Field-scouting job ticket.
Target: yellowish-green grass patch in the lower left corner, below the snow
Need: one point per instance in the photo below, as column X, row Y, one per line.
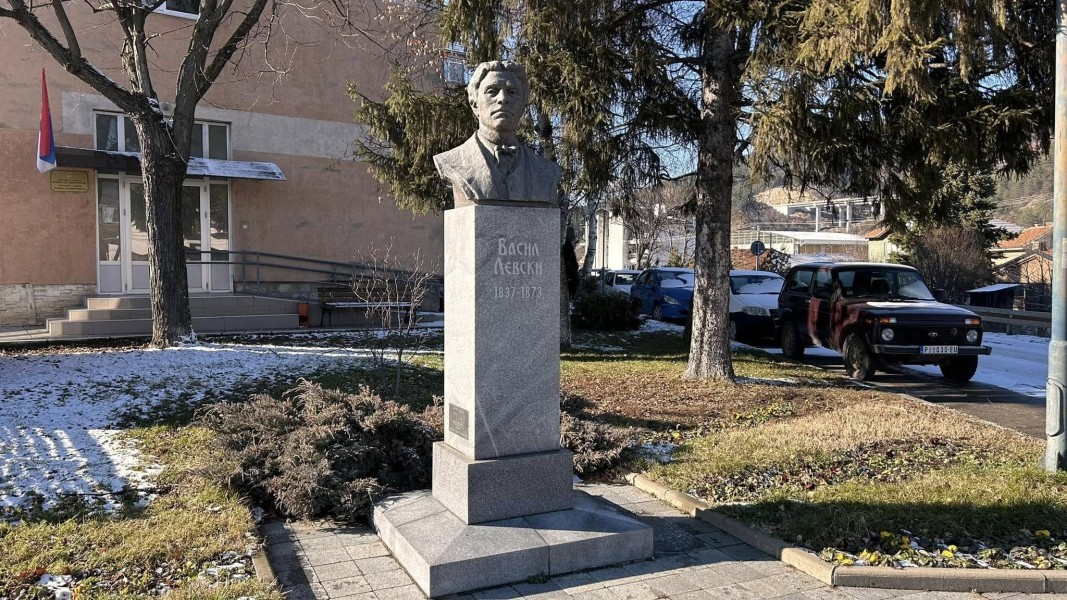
column 142, row 551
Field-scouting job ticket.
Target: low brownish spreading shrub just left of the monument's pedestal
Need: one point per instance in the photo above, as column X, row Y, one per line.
column 324, row 453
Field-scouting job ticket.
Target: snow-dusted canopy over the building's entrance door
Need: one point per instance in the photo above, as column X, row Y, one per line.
column 131, row 163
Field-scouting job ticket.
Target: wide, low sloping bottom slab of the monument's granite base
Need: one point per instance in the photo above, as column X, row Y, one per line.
column 445, row 556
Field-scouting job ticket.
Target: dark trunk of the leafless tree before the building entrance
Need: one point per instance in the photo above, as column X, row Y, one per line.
column 164, row 172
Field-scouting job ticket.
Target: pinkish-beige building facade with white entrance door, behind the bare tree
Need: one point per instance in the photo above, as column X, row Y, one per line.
column 275, row 177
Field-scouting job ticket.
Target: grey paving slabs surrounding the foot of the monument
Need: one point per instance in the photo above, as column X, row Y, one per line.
column 693, row 561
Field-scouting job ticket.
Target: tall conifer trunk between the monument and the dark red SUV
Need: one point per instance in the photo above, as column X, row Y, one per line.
column 710, row 349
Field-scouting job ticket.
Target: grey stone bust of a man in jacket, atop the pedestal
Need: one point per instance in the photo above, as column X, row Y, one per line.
column 493, row 165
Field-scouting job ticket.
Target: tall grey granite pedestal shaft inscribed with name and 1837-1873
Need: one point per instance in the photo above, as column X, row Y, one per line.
column 502, row 330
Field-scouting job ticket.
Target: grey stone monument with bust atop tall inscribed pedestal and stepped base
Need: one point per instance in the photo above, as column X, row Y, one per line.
column 503, row 508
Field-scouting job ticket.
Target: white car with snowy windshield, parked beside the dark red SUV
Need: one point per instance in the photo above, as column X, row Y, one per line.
column 754, row 304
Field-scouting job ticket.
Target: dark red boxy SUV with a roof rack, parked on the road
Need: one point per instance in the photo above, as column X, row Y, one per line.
column 877, row 314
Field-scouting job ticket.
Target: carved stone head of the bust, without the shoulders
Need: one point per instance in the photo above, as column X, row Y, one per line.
column 499, row 92
